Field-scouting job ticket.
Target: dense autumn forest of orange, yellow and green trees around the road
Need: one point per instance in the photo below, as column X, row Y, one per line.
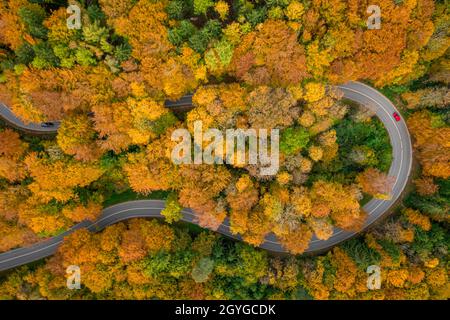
column 251, row 64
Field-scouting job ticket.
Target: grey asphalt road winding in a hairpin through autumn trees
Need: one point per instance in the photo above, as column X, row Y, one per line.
column 355, row 91
